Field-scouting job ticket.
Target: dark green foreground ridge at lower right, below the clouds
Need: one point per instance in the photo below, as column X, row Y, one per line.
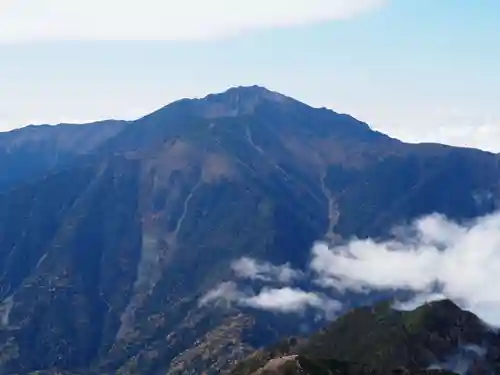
column 380, row 339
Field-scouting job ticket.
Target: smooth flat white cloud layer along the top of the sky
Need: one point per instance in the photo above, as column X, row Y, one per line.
column 28, row 20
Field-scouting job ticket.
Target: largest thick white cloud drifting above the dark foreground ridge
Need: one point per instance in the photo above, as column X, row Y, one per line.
column 461, row 262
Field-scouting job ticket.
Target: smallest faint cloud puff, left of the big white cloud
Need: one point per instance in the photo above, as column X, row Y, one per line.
column 247, row 268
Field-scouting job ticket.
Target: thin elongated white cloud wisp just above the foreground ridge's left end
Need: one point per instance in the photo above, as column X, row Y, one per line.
column 279, row 300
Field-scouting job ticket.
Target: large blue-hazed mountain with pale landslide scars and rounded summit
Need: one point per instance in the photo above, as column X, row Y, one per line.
column 105, row 257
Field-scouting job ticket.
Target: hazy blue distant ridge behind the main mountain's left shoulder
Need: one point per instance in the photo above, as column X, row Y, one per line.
column 29, row 153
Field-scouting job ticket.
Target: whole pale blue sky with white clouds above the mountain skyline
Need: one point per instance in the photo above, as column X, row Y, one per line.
column 421, row 70
